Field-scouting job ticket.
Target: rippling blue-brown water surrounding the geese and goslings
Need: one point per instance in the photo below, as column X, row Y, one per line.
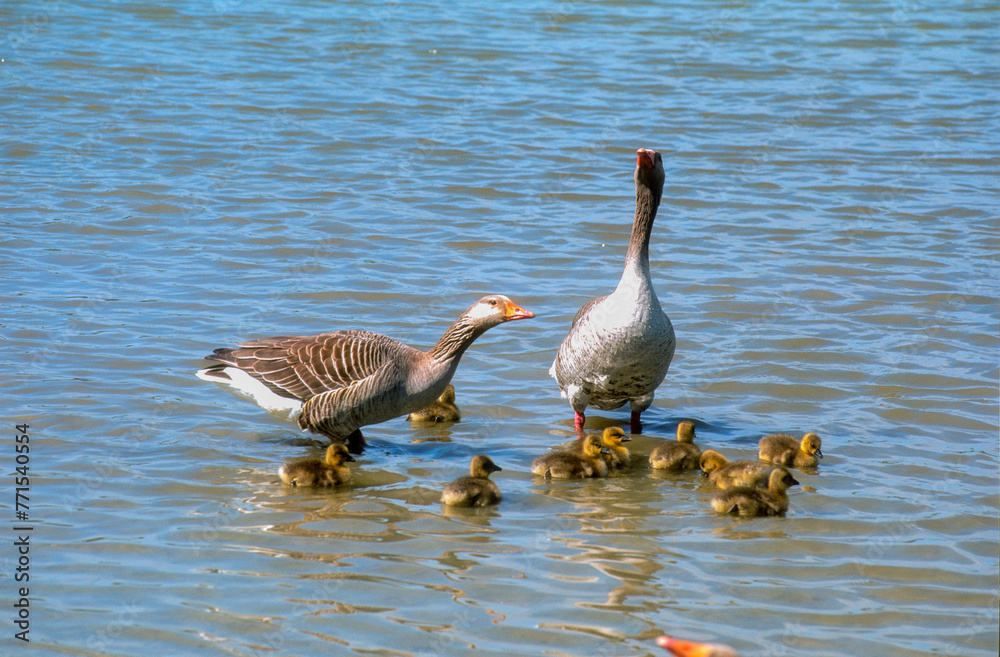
column 181, row 176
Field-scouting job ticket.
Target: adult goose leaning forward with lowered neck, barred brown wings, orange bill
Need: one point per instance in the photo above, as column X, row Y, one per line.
column 336, row 383
